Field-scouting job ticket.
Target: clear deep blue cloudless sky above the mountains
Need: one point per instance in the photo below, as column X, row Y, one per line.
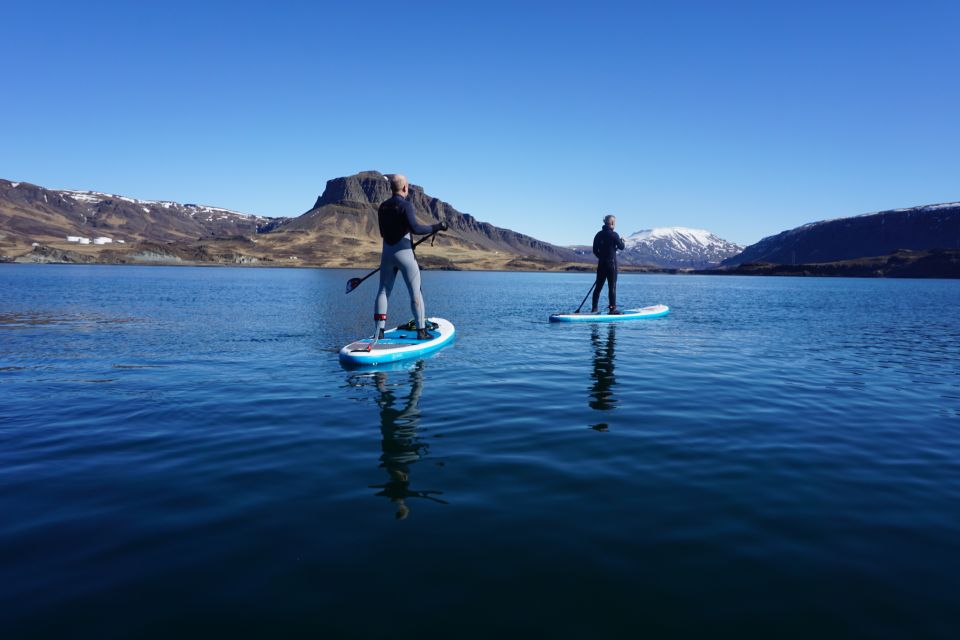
column 744, row 118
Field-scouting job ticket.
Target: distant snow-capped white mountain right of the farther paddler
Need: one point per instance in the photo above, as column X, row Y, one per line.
column 677, row 247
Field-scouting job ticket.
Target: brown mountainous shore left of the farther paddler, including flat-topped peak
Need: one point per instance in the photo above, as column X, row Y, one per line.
column 339, row 230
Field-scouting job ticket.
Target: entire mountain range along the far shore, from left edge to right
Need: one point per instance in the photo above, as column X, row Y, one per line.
column 340, row 230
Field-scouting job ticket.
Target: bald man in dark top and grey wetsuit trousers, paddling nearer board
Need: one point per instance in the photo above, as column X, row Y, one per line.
column 397, row 221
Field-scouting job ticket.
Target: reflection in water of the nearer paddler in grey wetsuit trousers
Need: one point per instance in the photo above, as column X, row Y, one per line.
column 401, row 443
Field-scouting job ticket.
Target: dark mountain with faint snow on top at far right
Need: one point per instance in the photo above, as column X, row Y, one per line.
column 921, row 228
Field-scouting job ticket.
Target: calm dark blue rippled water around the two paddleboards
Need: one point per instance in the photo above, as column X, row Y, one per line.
column 181, row 454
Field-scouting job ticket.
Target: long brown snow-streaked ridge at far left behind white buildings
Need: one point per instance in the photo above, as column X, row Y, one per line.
column 29, row 213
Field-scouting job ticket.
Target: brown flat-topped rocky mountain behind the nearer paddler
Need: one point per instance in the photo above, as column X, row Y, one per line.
column 341, row 230
